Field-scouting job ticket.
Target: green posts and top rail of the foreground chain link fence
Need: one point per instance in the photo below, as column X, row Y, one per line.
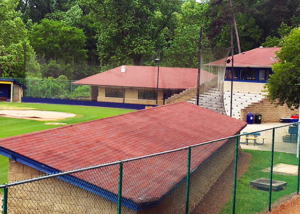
column 189, row 148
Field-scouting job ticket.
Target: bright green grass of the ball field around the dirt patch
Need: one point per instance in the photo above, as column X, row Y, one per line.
column 11, row 126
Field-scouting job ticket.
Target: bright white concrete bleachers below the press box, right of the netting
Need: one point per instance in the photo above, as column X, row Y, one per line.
column 240, row 101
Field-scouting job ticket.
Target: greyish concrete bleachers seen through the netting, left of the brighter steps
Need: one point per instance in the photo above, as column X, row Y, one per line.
column 211, row 99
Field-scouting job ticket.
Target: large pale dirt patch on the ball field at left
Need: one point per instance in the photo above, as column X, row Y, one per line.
column 36, row 114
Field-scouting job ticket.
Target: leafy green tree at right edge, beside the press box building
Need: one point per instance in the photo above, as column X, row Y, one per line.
column 284, row 84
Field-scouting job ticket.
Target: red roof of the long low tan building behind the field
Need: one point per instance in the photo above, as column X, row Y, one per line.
column 146, row 77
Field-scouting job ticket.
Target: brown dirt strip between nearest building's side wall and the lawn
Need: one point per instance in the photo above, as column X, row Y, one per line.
column 221, row 191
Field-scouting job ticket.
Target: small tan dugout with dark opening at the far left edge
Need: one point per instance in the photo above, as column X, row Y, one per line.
column 11, row 90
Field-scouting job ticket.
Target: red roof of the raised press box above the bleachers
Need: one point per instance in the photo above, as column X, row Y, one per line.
column 256, row 58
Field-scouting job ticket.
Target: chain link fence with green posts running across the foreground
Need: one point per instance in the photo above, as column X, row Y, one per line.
column 230, row 175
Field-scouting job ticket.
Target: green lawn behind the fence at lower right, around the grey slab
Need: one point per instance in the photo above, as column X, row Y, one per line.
column 251, row 200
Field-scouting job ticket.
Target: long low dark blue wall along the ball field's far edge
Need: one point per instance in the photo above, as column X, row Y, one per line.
column 84, row 103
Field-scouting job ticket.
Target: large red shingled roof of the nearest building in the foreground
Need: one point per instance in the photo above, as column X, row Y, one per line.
column 127, row 136
